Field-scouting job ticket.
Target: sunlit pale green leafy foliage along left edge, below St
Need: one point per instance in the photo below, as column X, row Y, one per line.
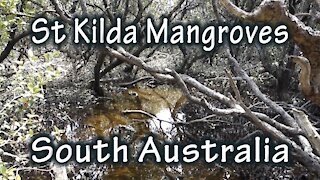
column 24, row 92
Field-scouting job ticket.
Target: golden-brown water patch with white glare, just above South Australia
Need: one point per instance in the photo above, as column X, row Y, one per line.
column 156, row 107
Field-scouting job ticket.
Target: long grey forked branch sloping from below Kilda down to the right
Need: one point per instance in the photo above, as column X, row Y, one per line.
column 181, row 80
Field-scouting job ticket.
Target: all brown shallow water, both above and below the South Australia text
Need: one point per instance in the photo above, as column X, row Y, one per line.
column 134, row 114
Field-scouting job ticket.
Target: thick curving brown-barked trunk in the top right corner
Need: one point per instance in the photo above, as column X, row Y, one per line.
column 306, row 38
